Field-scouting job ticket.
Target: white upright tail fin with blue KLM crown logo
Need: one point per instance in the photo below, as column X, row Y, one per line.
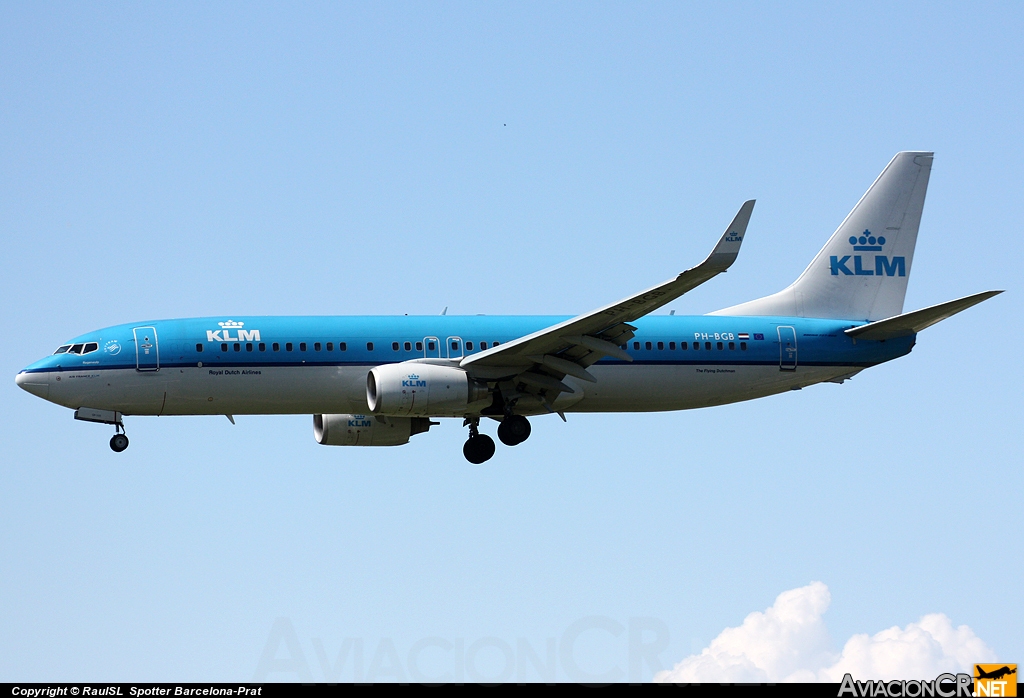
column 862, row 273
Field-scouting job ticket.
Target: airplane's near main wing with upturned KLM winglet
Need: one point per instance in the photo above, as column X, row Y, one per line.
column 538, row 363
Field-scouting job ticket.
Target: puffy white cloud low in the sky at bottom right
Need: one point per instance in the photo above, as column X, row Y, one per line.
column 790, row 642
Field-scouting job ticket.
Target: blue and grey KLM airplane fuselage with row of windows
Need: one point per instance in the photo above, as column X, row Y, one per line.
column 278, row 366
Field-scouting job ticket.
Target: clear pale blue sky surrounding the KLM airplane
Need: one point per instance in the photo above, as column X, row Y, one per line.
column 358, row 159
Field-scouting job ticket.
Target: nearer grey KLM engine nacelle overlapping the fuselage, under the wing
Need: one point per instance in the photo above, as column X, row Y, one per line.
column 425, row 389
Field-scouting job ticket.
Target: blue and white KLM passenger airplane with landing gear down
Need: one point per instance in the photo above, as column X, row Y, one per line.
column 378, row 381
